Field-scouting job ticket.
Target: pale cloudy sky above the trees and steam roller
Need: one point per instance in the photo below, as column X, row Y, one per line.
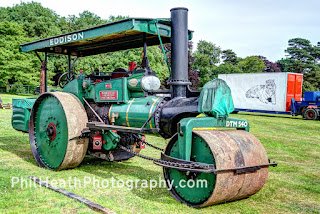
column 248, row 27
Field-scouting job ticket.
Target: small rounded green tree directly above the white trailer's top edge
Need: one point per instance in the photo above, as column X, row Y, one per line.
column 252, row 64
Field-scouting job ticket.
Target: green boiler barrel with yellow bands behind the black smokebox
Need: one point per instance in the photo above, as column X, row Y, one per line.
column 136, row 112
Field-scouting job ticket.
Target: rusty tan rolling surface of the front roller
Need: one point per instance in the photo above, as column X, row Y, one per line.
column 231, row 149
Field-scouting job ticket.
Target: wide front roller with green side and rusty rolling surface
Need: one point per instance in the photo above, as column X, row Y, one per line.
column 224, row 149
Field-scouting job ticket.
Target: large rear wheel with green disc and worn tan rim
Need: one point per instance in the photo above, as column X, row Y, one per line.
column 56, row 118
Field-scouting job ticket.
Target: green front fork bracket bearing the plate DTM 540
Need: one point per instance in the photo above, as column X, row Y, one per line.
column 186, row 125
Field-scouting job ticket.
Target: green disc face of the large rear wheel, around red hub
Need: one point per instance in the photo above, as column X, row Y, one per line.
column 52, row 152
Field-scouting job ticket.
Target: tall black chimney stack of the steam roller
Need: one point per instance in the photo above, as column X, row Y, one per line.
column 179, row 51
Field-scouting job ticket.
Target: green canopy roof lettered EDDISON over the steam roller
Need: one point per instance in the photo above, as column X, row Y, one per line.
column 115, row 36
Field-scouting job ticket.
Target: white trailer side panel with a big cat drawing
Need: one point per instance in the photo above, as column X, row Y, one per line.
column 258, row 91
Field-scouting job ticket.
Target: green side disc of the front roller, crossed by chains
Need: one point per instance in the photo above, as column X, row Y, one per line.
column 200, row 152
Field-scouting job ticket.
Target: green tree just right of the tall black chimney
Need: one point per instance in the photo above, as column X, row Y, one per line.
column 205, row 58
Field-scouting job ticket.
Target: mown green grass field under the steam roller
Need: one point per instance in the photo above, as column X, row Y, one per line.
column 292, row 187
